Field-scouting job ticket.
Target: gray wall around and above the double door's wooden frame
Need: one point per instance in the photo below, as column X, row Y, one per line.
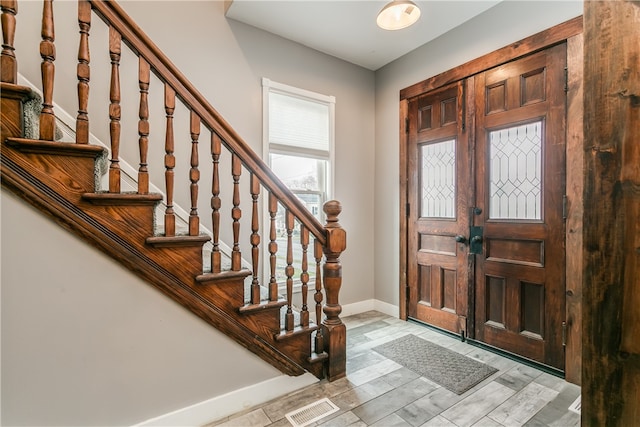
column 501, row 25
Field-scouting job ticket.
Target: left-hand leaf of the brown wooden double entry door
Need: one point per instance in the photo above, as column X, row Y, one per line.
column 437, row 209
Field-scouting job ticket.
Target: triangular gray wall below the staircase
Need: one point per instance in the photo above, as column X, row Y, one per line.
column 85, row 342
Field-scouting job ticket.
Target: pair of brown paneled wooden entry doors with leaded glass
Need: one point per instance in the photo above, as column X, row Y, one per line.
column 485, row 229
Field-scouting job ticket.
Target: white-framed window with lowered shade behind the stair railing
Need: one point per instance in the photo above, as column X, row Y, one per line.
column 298, row 132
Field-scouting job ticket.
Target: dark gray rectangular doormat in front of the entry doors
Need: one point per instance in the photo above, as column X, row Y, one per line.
column 451, row 370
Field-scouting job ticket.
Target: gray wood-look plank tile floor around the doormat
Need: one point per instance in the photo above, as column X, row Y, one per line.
column 380, row 392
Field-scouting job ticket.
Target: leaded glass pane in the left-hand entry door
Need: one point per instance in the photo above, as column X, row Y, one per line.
column 438, row 173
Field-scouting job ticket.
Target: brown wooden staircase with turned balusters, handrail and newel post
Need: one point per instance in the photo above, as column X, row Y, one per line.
column 63, row 180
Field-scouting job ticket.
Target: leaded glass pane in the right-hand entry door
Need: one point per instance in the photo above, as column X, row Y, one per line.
column 516, row 172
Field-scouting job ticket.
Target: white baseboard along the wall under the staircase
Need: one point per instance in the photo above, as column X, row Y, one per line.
column 233, row 402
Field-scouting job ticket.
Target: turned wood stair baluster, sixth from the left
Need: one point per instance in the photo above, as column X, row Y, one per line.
column 169, row 161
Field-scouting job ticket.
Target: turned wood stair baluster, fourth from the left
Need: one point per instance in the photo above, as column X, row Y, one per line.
column 114, row 109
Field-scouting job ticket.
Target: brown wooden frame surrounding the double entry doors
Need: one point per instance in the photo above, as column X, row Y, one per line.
column 571, row 33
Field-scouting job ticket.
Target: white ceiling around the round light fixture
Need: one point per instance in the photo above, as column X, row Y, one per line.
column 347, row 29
